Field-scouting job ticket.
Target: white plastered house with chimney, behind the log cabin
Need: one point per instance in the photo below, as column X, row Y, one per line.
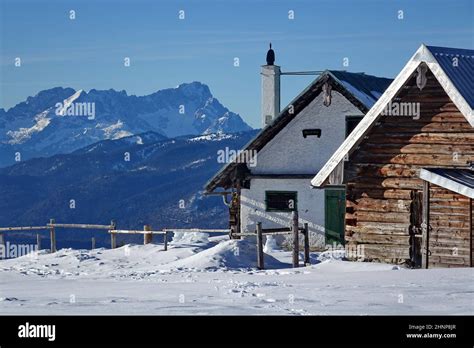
column 291, row 147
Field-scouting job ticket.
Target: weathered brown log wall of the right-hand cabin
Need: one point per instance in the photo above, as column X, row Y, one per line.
column 382, row 180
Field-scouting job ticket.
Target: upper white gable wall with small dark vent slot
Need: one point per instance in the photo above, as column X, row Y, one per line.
column 289, row 153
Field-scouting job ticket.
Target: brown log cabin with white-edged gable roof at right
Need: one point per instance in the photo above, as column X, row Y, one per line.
column 392, row 212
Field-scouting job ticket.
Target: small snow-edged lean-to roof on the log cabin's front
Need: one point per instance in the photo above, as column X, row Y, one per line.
column 460, row 180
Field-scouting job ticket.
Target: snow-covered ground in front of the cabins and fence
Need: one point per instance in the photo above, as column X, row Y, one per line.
column 214, row 276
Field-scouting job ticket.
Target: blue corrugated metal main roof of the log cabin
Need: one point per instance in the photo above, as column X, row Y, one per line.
column 462, row 73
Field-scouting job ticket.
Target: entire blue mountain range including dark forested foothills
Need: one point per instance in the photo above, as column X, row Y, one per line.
column 138, row 160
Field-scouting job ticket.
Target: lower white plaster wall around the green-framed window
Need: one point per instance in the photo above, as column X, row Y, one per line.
column 310, row 205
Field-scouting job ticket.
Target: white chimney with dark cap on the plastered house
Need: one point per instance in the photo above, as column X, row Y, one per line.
column 270, row 89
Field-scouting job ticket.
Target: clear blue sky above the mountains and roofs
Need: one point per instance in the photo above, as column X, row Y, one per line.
column 89, row 52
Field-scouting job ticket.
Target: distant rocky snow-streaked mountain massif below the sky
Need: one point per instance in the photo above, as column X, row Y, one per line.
column 61, row 120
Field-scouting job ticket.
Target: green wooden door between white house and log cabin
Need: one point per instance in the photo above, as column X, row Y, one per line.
column 335, row 209
